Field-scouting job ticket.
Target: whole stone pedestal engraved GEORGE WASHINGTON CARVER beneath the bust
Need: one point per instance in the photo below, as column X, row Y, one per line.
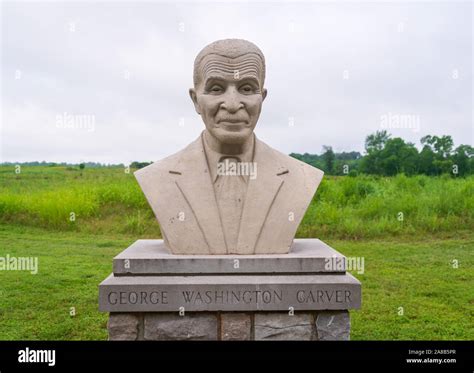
column 302, row 295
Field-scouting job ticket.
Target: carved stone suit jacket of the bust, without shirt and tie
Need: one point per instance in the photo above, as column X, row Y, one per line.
column 181, row 194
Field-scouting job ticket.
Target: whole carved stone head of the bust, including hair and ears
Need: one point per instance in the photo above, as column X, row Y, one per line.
column 229, row 89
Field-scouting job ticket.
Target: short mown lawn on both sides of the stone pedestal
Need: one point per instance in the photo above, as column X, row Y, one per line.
column 416, row 274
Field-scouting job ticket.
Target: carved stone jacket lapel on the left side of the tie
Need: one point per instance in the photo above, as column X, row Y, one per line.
column 195, row 184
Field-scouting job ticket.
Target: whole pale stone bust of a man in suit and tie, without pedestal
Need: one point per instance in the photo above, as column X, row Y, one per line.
column 228, row 192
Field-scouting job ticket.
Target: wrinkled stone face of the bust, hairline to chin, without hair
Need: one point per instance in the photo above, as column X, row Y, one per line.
column 229, row 96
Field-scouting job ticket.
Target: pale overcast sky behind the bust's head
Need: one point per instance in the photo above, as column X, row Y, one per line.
column 108, row 82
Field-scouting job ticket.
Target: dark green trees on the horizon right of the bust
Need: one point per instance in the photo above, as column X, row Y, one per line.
column 389, row 156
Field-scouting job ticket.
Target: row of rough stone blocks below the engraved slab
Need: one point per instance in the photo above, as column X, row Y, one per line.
column 230, row 326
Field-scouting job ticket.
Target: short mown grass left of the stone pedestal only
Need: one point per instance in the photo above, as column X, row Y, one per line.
column 70, row 267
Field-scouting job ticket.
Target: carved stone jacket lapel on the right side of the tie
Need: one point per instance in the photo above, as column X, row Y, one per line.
column 261, row 193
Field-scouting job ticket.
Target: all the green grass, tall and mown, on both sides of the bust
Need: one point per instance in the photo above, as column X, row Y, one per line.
column 410, row 231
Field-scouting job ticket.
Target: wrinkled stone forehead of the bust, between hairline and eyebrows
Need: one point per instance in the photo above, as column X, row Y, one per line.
column 245, row 65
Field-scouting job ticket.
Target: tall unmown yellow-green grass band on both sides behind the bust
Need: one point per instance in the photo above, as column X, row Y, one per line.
column 108, row 200
